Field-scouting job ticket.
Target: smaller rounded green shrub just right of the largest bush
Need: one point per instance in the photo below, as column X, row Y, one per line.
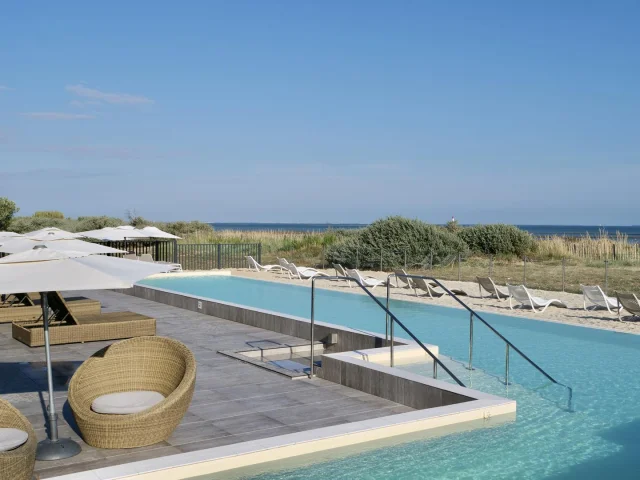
column 497, row 239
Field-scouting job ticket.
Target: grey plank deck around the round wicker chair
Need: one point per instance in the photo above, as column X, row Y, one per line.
column 233, row 402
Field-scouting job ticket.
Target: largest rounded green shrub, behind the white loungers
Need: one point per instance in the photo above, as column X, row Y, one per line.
column 389, row 240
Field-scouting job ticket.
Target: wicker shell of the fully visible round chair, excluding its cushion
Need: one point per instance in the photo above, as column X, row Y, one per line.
column 144, row 363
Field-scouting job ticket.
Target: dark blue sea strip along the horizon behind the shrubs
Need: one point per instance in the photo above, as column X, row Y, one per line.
column 538, row 230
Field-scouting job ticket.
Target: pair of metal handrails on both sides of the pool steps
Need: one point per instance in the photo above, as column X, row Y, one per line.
column 391, row 320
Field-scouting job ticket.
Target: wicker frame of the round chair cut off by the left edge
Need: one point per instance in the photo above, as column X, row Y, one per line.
column 17, row 464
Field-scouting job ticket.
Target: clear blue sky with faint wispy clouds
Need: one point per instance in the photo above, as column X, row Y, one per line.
column 299, row 111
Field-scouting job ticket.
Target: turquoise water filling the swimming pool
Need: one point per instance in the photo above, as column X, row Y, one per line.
column 601, row 437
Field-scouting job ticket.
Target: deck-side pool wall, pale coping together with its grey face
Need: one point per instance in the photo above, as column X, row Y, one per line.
column 358, row 360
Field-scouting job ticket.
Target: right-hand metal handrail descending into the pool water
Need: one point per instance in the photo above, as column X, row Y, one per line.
column 472, row 314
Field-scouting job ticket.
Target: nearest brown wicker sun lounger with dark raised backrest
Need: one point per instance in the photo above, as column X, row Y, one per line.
column 68, row 327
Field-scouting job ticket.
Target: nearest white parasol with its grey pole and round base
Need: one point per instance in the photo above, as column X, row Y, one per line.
column 45, row 270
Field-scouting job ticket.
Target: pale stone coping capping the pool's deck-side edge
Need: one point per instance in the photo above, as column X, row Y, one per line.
column 481, row 407
